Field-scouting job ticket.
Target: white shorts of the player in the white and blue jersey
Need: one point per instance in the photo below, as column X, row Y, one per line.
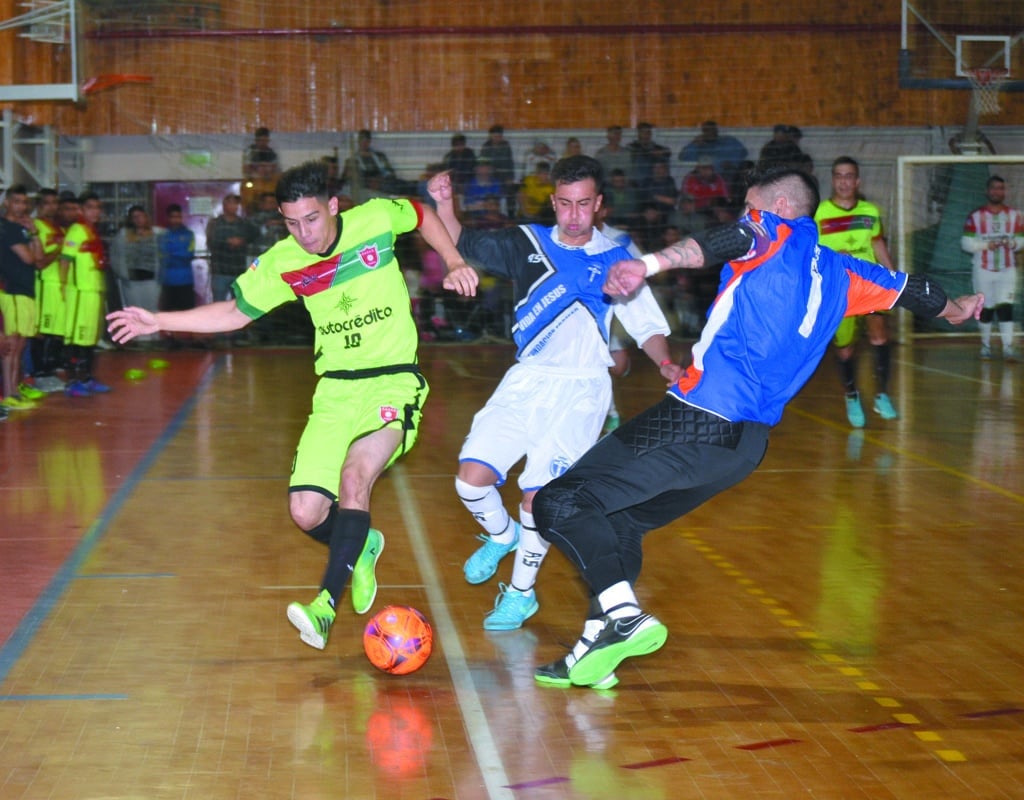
column 551, row 417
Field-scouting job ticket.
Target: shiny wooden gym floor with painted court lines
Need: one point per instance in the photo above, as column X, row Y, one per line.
column 847, row 623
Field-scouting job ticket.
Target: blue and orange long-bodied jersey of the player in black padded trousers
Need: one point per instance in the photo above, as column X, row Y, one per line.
column 777, row 311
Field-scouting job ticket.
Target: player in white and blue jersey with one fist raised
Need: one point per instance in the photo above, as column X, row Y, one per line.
column 551, row 405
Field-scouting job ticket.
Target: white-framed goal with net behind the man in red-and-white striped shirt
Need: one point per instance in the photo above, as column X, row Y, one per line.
column 934, row 197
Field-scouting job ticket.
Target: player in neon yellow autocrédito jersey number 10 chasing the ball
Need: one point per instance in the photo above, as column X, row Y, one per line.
column 366, row 409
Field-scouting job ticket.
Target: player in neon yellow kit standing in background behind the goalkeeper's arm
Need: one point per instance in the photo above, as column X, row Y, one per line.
column 848, row 224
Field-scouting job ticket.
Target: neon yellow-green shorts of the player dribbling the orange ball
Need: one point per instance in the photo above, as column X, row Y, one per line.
column 346, row 410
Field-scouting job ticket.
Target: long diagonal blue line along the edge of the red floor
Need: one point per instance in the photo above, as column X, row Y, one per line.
column 40, row 610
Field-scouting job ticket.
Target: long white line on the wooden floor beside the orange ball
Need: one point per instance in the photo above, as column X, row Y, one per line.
column 478, row 730
